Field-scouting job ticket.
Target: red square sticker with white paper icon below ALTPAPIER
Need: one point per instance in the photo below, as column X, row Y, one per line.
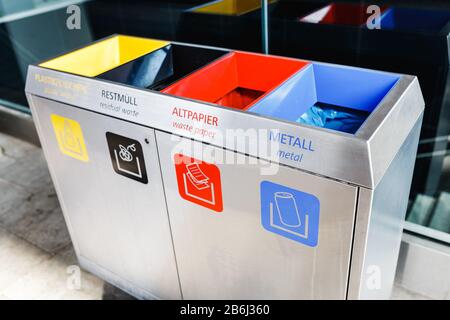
column 199, row 182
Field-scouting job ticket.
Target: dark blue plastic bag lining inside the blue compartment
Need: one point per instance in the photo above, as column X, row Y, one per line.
column 333, row 117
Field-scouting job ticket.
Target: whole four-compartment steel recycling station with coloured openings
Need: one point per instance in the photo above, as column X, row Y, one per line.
column 136, row 135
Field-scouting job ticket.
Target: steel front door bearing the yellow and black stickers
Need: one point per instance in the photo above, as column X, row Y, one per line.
column 111, row 193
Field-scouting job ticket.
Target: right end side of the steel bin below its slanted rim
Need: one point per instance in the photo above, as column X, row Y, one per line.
column 379, row 225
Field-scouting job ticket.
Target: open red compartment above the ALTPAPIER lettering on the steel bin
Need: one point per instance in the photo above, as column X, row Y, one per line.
column 237, row 80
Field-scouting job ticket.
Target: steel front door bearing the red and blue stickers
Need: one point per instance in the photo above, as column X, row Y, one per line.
column 242, row 235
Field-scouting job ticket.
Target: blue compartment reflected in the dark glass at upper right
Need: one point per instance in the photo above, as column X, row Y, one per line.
column 410, row 19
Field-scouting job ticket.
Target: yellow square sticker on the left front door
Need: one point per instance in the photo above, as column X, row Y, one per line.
column 70, row 137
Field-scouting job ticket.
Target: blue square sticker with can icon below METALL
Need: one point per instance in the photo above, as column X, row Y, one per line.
column 290, row 213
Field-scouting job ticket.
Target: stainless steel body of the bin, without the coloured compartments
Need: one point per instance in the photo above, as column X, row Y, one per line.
column 156, row 240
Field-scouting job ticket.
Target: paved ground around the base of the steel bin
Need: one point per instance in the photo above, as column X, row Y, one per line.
column 36, row 255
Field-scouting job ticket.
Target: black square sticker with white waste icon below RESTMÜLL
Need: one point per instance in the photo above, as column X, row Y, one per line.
column 127, row 157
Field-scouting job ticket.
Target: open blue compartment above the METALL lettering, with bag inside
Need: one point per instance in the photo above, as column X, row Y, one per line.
column 352, row 92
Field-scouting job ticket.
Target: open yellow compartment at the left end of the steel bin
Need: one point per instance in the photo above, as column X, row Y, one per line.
column 104, row 55
